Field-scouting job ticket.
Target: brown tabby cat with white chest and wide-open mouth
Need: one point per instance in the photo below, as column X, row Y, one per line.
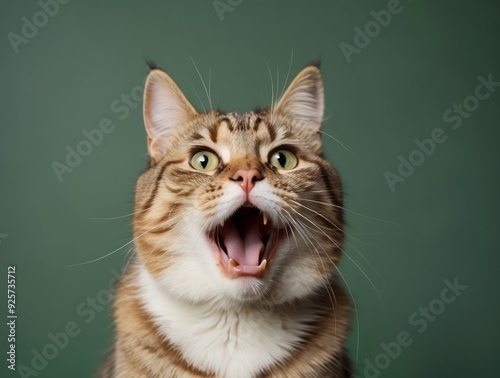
column 238, row 229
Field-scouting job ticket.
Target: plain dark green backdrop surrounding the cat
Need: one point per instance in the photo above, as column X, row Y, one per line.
column 440, row 223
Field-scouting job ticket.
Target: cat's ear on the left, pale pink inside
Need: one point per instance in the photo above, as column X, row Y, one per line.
column 165, row 108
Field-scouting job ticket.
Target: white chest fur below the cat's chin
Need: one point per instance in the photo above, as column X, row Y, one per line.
column 232, row 341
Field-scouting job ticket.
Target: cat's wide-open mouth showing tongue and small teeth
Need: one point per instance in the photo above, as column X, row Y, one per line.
column 244, row 243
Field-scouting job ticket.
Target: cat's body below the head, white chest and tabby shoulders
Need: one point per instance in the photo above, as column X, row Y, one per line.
column 159, row 333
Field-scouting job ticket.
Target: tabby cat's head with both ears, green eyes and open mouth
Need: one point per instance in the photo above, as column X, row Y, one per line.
column 238, row 206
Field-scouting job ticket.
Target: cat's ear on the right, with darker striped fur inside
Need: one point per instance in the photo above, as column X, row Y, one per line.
column 304, row 98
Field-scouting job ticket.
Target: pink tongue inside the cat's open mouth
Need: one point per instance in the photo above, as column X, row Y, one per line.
column 246, row 250
